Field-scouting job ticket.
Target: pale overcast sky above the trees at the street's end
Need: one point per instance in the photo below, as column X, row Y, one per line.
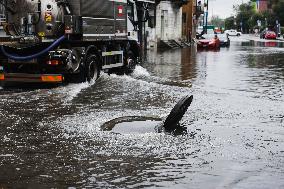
column 223, row 8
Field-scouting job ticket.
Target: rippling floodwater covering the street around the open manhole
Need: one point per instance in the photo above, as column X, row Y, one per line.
column 52, row 138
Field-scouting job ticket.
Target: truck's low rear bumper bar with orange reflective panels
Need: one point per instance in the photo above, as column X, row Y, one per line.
column 31, row 78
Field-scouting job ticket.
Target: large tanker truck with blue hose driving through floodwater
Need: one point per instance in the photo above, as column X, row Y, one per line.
column 56, row 41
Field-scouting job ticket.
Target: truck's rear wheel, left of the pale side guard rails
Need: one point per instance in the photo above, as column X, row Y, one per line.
column 92, row 68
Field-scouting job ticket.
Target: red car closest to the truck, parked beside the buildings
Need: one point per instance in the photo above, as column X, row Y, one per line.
column 208, row 41
